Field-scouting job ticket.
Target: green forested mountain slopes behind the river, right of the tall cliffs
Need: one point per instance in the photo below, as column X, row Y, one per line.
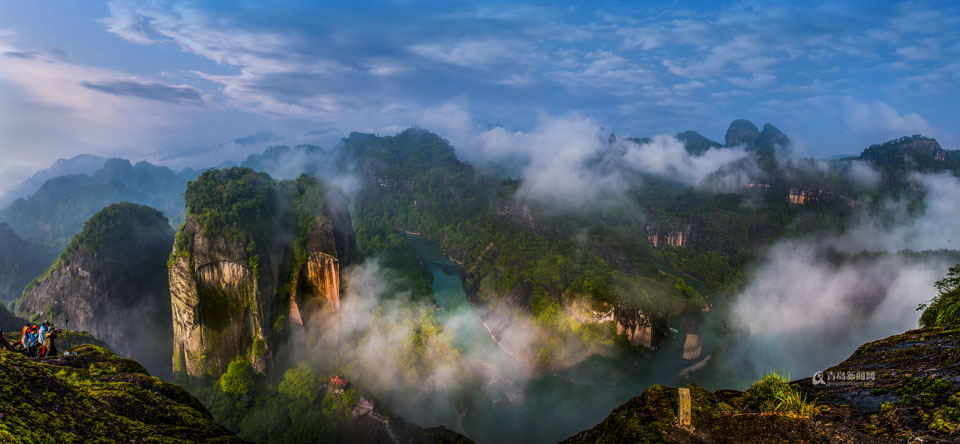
column 640, row 262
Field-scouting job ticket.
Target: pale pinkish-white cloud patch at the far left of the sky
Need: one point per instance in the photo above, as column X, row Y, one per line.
column 50, row 111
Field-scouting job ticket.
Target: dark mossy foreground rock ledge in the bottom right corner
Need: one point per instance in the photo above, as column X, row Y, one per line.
column 900, row 389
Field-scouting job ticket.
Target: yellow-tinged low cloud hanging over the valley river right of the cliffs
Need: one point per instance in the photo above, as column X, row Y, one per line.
column 432, row 366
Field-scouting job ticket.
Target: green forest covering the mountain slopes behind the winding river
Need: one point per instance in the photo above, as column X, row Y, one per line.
column 517, row 250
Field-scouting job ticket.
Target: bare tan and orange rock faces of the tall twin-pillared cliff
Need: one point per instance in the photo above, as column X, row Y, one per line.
column 224, row 306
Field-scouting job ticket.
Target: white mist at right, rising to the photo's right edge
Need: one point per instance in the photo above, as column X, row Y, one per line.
column 810, row 302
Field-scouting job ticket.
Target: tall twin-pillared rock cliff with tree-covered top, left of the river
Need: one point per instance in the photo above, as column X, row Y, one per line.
column 255, row 262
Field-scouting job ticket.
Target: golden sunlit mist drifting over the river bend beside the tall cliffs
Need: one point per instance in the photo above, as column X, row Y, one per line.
column 403, row 351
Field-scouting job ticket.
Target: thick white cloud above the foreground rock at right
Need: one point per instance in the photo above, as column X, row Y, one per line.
column 803, row 313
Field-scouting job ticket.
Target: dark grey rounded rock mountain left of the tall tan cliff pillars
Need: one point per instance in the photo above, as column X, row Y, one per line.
column 111, row 281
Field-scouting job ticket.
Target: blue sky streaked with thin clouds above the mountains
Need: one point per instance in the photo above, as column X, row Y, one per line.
column 196, row 83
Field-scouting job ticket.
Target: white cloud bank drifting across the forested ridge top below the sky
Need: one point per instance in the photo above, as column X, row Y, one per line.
column 571, row 161
